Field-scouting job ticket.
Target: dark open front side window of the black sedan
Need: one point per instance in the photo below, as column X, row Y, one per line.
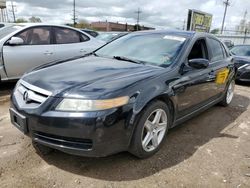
column 199, row 50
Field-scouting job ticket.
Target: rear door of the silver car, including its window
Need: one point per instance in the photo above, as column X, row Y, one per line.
column 70, row 43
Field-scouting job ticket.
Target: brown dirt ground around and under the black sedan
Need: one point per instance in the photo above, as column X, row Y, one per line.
column 210, row 150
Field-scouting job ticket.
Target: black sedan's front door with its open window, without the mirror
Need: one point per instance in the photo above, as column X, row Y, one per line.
column 197, row 85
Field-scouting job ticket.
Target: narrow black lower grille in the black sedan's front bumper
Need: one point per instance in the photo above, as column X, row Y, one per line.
column 63, row 142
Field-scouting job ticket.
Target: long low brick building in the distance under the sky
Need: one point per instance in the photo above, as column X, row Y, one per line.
column 112, row 26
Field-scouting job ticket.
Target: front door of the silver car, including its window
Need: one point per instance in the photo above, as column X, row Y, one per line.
column 36, row 50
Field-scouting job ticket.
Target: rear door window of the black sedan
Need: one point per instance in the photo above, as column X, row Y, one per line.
column 217, row 51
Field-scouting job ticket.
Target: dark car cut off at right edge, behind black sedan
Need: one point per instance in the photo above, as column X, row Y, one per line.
column 241, row 55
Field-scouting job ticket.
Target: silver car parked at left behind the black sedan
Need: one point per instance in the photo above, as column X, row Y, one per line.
column 25, row 46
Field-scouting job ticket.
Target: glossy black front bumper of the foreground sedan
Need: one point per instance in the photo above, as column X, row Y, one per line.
column 92, row 134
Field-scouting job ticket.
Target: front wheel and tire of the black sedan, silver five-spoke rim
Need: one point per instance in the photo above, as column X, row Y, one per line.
column 141, row 145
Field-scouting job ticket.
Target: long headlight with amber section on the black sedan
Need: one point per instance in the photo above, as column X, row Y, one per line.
column 82, row 105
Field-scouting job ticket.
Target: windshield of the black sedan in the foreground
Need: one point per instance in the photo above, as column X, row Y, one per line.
column 157, row 49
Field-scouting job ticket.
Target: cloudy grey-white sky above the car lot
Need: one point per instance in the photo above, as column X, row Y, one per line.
column 156, row 13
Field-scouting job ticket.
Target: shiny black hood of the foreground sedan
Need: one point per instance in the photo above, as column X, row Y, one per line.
column 90, row 76
